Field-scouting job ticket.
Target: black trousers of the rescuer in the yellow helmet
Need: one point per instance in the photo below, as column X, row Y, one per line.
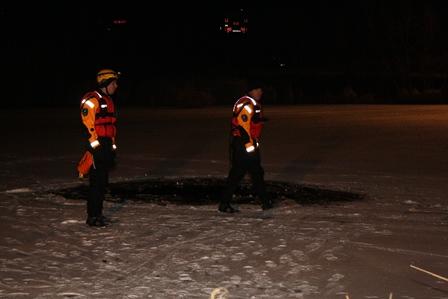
column 99, row 177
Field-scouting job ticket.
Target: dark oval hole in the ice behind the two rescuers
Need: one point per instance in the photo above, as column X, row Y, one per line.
column 197, row 191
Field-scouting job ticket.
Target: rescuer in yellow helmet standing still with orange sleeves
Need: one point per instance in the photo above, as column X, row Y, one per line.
column 99, row 117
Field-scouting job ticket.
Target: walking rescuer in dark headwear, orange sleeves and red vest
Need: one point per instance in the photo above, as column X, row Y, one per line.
column 246, row 126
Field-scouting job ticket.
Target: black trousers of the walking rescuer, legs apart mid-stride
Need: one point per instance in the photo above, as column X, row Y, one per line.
column 241, row 165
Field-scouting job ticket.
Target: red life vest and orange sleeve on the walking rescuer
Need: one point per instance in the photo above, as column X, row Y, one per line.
column 246, row 122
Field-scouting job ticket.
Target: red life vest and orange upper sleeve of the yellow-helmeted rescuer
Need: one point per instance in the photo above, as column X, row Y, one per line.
column 104, row 111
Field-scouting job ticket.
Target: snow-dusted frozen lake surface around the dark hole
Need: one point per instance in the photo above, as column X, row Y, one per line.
column 394, row 157
